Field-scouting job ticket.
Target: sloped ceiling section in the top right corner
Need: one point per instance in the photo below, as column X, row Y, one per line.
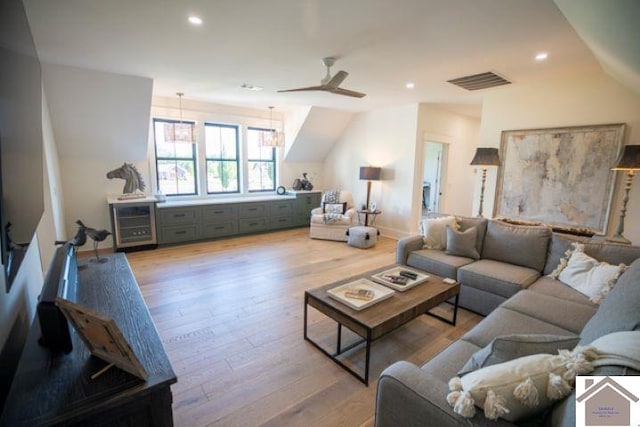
column 612, row 31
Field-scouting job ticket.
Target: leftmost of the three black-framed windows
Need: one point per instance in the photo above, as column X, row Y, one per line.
column 175, row 163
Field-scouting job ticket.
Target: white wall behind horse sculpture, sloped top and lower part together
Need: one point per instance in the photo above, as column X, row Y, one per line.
column 99, row 120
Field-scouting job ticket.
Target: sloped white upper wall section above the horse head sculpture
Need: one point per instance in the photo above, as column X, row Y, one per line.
column 98, row 115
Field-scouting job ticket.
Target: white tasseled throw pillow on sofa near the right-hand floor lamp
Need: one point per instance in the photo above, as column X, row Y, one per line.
column 589, row 276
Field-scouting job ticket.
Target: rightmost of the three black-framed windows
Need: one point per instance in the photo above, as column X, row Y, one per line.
column 261, row 162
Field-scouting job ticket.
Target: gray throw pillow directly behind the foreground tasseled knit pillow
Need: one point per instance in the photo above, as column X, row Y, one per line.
column 509, row 347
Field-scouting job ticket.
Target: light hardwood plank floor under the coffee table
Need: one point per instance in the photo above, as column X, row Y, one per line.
column 230, row 313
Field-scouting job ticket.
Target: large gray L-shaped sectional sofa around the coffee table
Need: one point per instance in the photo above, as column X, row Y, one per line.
column 518, row 298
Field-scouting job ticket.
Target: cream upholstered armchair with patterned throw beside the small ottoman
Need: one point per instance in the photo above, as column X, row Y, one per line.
column 332, row 220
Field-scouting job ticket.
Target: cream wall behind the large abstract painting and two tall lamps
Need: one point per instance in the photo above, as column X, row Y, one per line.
column 596, row 99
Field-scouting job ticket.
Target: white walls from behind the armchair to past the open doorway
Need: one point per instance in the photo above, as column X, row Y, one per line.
column 393, row 139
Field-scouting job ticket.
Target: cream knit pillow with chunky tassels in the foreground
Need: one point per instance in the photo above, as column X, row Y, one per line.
column 521, row 387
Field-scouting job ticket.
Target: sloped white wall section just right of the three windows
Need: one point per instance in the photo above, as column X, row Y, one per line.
column 318, row 131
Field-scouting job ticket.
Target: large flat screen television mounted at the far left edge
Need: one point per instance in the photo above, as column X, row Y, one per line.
column 21, row 144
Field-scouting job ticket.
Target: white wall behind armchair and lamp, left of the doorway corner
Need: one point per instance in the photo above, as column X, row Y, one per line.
column 384, row 138
